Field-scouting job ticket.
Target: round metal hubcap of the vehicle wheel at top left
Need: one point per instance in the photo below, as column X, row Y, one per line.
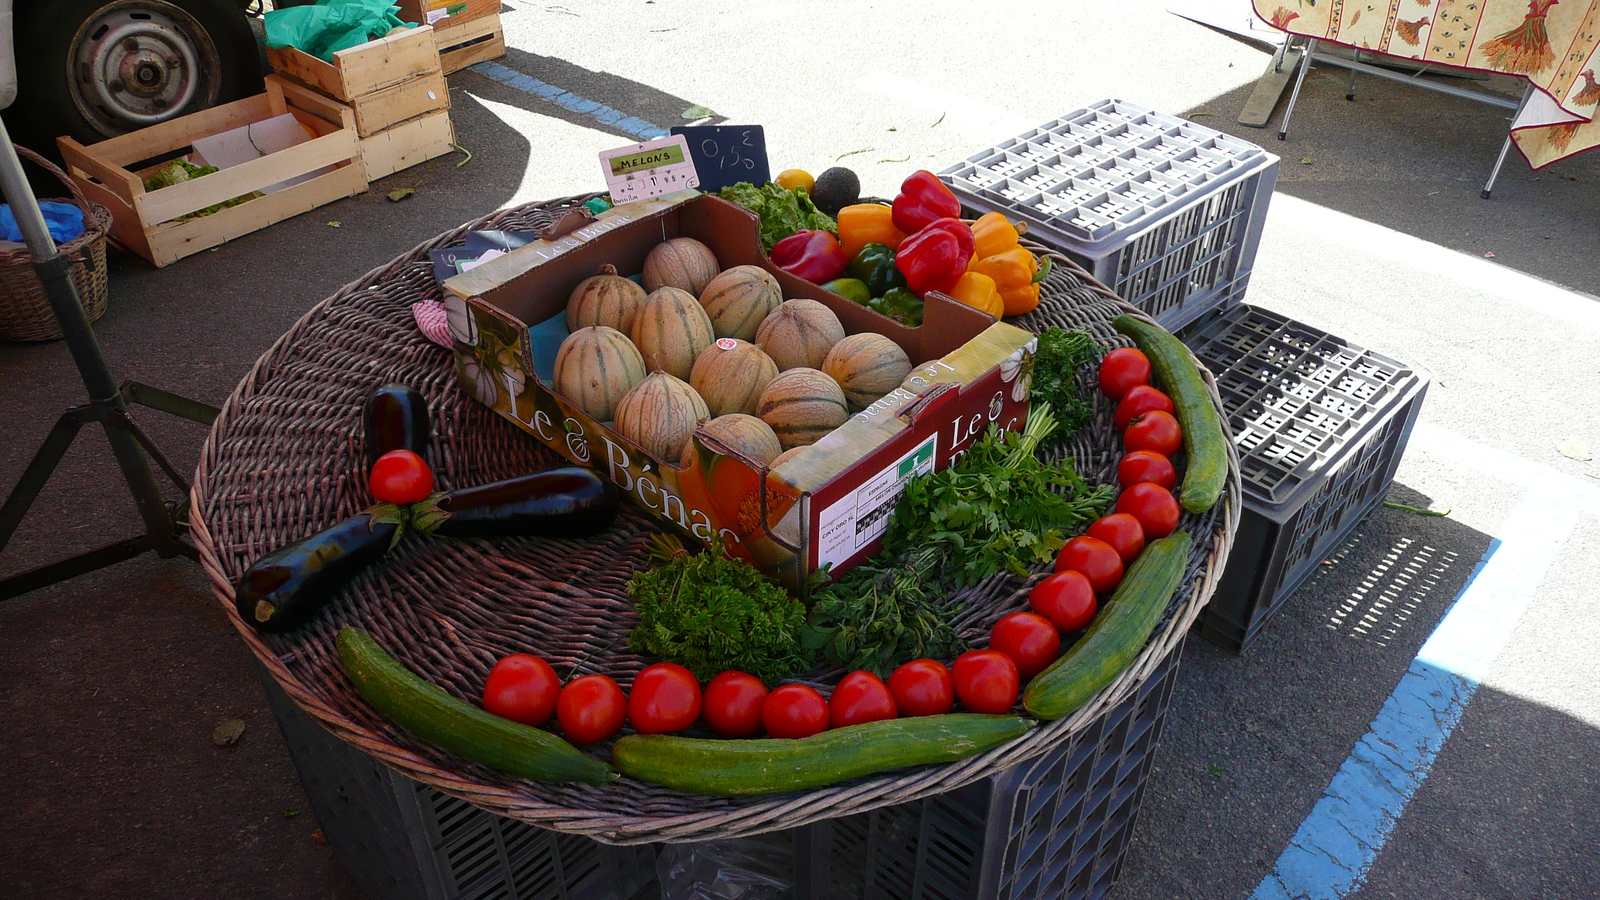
column 140, row 63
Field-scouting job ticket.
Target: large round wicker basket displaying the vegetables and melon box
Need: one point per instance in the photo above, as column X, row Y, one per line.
column 284, row 462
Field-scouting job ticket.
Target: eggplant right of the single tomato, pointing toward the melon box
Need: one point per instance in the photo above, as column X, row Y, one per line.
column 559, row 504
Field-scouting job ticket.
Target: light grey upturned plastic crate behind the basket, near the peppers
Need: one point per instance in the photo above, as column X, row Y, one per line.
column 1164, row 212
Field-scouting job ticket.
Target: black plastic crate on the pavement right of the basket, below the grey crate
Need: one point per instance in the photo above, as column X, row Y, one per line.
column 1321, row 427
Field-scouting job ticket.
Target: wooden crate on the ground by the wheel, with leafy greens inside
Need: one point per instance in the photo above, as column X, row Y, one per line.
column 151, row 222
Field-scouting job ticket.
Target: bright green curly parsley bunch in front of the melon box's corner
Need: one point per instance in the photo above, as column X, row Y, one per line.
column 713, row 614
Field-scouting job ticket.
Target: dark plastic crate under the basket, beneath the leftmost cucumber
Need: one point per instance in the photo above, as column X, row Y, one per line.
column 406, row 842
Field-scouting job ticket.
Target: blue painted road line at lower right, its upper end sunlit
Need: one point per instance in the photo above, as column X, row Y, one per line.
column 1334, row 851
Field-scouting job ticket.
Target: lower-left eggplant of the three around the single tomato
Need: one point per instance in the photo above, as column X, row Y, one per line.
column 284, row 590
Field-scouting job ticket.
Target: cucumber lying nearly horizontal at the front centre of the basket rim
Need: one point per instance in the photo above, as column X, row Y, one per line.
column 769, row 766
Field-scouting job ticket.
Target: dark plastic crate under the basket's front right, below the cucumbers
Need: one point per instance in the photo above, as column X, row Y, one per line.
column 1055, row 827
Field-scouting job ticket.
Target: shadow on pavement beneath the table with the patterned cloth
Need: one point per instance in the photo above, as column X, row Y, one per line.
column 1415, row 161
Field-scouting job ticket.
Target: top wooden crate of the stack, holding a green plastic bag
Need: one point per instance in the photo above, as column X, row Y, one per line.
column 366, row 68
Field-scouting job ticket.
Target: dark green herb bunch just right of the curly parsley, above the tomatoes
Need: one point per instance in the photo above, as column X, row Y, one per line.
column 882, row 614
